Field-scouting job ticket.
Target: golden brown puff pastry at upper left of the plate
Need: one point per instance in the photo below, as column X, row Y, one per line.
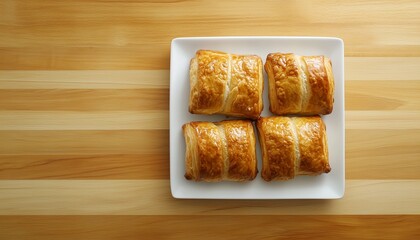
column 229, row 84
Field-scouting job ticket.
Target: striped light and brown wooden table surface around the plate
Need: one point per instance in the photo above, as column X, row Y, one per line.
column 84, row 105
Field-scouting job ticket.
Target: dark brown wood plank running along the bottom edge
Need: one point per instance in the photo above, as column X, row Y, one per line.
column 210, row 227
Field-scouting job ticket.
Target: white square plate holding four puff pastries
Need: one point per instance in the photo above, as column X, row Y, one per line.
column 325, row 186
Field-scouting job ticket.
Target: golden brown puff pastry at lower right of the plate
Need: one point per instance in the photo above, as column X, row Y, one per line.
column 292, row 146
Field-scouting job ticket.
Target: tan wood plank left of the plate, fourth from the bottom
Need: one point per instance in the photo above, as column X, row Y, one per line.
column 84, row 142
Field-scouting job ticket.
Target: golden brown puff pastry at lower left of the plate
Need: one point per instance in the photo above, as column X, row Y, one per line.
column 220, row 151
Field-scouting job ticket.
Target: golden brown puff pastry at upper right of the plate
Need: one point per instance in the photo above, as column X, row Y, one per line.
column 299, row 84
